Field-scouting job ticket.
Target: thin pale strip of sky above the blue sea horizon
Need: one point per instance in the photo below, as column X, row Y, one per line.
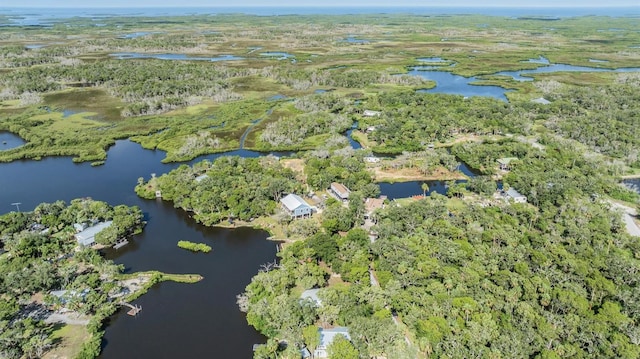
column 316, row 3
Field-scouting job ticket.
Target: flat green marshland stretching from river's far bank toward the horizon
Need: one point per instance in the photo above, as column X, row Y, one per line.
column 71, row 98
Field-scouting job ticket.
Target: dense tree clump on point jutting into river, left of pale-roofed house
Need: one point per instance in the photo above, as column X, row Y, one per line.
column 228, row 188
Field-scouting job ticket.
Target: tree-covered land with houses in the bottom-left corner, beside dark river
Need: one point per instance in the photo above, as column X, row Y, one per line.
column 39, row 255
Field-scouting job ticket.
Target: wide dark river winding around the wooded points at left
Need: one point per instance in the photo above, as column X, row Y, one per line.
column 177, row 320
